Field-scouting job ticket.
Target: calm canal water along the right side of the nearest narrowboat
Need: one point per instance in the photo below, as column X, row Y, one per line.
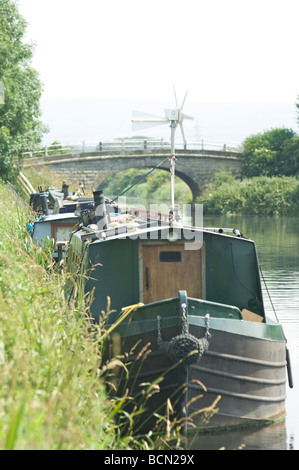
column 277, row 242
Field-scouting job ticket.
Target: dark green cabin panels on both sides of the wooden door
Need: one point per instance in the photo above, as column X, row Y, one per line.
column 231, row 267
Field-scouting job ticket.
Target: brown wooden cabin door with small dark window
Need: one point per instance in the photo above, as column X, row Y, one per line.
column 167, row 268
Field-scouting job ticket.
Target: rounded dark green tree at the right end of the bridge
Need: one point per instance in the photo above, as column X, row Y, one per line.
column 265, row 154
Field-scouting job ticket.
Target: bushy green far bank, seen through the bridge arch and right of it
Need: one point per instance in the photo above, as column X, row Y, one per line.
column 277, row 195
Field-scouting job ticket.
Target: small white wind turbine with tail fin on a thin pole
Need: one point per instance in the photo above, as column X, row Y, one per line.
column 175, row 117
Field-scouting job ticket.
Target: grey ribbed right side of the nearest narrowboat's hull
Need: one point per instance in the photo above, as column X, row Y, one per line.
column 247, row 373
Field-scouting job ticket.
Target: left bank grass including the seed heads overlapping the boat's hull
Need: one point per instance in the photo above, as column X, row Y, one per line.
column 53, row 381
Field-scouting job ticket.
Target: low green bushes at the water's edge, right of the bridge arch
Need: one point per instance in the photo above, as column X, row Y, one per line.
column 257, row 195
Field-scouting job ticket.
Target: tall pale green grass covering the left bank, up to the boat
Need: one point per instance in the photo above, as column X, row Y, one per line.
column 50, row 393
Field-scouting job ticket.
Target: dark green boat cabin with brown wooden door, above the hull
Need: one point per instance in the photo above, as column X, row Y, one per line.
column 154, row 263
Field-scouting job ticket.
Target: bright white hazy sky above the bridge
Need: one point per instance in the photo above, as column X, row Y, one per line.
column 232, row 51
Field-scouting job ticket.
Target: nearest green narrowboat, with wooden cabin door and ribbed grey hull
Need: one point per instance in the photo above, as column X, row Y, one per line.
column 193, row 297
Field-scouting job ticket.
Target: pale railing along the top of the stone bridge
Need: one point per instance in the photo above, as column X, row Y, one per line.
column 130, row 145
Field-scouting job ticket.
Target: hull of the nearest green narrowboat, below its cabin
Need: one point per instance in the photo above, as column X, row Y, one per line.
column 243, row 371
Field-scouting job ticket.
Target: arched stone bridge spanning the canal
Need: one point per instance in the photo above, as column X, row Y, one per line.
column 195, row 167
